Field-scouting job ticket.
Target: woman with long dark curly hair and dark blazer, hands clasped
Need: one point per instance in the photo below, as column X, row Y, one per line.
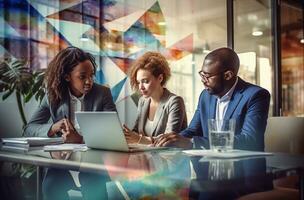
column 69, row 80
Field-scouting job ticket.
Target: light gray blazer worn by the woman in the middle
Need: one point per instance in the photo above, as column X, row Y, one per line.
column 170, row 115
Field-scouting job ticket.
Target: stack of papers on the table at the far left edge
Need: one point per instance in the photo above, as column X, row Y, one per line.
column 25, row 144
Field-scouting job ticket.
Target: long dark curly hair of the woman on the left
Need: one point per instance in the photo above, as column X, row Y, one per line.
column 61, row 65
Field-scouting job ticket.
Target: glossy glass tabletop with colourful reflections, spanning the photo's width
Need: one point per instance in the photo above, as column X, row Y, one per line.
column 170, row 173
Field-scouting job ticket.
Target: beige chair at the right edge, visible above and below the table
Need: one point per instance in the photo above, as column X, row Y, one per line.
column 285, row 135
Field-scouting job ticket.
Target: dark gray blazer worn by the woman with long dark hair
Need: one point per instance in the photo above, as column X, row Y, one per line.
column 98, row 99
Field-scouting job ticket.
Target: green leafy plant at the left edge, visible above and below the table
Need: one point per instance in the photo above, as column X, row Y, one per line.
column 17, row 78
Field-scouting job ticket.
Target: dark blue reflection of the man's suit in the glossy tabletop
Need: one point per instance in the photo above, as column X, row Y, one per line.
column 228, row 178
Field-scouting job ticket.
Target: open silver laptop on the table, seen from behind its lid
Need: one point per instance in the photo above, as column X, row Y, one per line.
column 103, row 130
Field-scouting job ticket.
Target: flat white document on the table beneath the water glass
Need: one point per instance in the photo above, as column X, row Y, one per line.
column 229, row 154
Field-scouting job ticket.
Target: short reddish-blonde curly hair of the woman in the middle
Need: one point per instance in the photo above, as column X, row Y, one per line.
column 153, row 62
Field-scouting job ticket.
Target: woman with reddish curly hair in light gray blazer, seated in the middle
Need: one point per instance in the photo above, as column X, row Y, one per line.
column 159, row 110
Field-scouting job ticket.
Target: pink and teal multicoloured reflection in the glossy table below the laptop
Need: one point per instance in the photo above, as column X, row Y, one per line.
column 163, row 175
